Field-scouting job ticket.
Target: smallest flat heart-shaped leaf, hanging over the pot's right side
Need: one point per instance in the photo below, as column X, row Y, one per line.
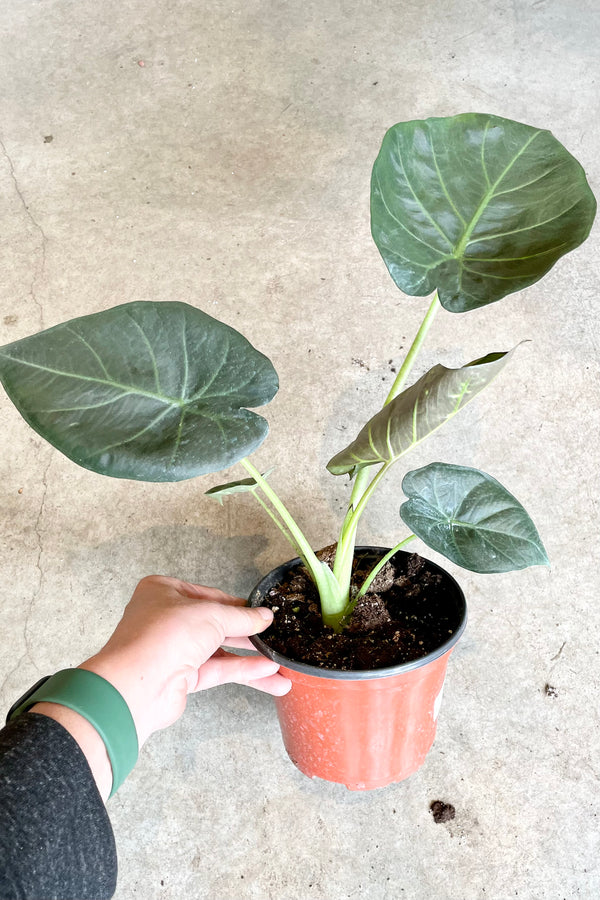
column 471, row 519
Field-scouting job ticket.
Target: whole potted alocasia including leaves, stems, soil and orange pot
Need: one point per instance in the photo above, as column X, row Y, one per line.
column 468, row 208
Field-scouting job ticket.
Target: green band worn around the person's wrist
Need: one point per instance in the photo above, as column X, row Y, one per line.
column 102, row 705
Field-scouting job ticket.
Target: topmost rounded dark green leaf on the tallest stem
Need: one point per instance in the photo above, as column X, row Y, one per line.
column 475, row 206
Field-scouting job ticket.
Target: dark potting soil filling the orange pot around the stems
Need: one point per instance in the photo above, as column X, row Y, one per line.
column 408, row 617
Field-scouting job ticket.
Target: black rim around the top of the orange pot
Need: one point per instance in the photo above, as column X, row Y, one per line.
column 357, row 674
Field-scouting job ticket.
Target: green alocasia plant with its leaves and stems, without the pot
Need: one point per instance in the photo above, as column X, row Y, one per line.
column 469, row 208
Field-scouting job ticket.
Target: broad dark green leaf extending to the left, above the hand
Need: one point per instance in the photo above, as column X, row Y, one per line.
column 148, row 391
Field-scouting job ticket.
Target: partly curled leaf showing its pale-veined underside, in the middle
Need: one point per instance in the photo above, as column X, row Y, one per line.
column 422, row 408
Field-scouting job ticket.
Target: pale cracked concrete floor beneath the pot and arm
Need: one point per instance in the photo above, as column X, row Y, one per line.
column 220, row 153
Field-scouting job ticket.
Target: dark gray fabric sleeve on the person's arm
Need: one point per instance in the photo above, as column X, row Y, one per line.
column 56, row 840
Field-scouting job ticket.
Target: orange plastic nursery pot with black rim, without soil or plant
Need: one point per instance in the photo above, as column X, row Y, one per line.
column 364, row 729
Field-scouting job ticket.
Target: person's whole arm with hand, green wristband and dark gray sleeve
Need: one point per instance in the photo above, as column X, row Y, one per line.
column 56, row 767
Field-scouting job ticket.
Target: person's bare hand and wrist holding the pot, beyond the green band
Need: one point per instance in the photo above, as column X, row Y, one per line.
column 167, row 645
